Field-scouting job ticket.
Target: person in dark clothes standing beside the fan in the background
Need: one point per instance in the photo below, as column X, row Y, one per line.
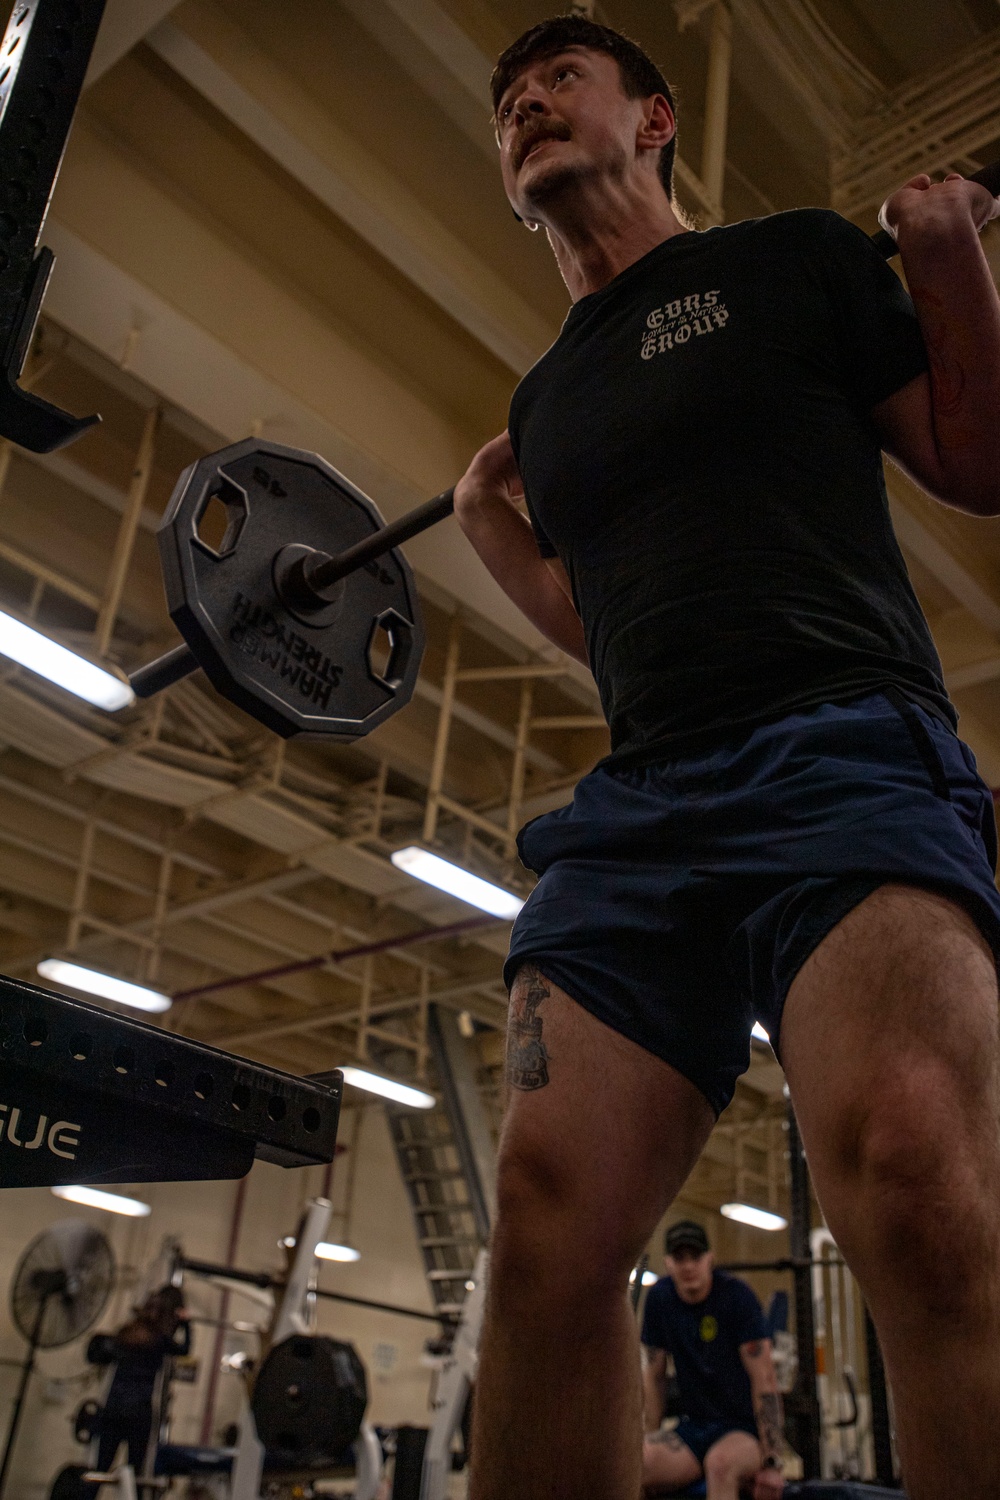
column 158, row 1331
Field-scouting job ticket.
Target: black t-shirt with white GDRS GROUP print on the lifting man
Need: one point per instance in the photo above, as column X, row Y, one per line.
column 698, row 449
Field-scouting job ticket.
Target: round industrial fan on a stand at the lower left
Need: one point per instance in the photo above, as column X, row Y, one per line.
column 59, row 1289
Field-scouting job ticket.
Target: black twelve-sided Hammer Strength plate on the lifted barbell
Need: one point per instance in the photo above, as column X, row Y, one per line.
column 299, row 679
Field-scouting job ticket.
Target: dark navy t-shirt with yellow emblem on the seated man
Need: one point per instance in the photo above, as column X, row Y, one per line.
column 705, row 1340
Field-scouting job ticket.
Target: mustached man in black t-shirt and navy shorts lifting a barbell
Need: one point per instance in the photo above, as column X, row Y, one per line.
column 876, row 959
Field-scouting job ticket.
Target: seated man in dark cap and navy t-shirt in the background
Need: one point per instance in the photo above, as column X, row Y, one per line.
column 711, row 1325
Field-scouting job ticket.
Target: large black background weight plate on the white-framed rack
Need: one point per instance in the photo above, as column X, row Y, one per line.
column 310, row 1399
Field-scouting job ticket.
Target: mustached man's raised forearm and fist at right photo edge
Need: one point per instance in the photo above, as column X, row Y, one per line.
column 959, row 311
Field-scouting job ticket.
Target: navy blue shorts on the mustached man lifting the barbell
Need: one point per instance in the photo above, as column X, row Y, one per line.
column 678, row 901
